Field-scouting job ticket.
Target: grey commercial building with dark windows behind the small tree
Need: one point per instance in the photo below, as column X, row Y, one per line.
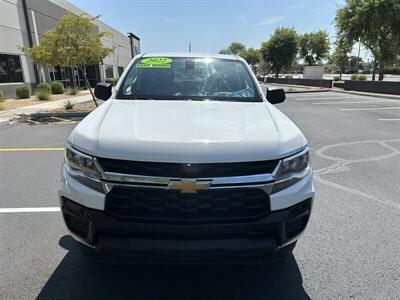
column 18, row 17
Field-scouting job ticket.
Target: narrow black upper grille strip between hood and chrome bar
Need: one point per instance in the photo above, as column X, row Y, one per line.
column 179, row 170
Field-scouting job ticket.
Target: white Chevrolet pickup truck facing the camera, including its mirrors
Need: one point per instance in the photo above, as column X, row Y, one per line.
column 187, row 159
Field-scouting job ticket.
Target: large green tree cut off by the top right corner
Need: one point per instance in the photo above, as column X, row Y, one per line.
column 375, row 24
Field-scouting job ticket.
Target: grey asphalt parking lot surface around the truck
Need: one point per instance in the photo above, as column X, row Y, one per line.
column 350, row 250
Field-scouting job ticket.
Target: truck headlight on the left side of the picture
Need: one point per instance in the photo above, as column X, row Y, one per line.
column 83, row 168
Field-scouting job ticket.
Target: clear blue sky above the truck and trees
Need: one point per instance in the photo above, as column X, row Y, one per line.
column 210, row 25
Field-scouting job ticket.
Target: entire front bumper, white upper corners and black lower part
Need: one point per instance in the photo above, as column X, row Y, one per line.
column 84, row 212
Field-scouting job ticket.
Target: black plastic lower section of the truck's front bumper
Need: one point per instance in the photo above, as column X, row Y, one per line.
column 109, row 235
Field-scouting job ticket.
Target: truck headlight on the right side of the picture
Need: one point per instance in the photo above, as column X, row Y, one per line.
column 291, row 170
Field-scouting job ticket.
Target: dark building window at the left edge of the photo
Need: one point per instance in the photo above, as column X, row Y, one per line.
column 10, row 68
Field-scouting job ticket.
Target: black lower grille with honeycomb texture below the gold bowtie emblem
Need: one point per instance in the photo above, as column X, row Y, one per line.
column 168, row 206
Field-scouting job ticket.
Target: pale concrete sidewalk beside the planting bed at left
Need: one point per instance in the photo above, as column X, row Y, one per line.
column 7, row 116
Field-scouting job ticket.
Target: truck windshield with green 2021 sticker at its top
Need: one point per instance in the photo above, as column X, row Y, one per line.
column 180, row 78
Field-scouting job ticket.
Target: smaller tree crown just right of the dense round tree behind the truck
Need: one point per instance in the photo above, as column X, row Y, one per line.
column 313, row 47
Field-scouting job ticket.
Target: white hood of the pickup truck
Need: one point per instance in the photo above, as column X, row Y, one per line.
column 187, row 131
